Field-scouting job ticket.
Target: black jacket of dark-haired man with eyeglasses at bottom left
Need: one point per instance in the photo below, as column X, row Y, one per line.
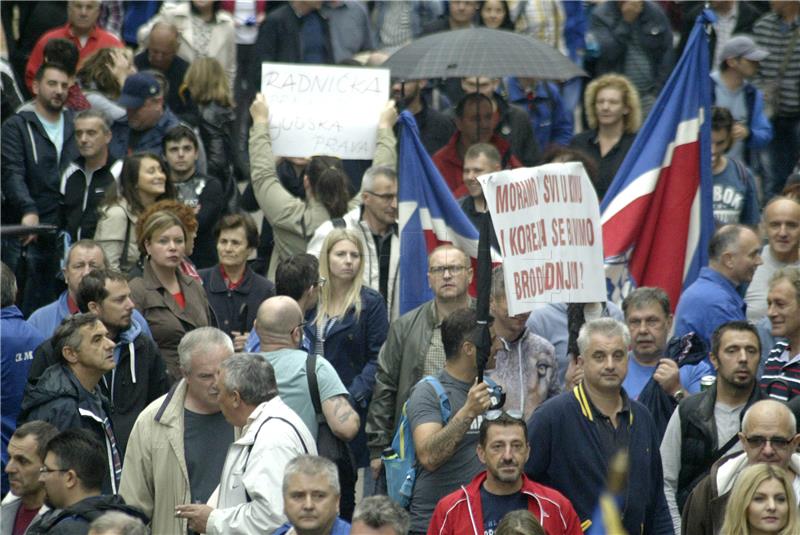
column 75, row 520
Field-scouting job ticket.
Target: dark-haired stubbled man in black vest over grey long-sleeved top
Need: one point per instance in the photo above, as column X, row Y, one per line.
column 704, row 427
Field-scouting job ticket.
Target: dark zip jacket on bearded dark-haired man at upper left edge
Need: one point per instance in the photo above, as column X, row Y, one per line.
column 32, row 167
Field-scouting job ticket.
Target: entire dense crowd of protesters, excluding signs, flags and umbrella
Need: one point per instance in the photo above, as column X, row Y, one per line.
column 173, row 365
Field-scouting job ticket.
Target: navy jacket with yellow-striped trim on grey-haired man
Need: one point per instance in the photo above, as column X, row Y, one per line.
column 566, row 455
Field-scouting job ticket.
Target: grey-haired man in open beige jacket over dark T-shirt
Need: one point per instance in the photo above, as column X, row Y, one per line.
column 177, row 447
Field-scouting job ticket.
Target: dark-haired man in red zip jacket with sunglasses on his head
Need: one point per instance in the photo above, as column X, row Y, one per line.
column 478, row 508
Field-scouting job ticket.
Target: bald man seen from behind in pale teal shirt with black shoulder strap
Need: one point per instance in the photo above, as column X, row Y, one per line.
column 279, row 325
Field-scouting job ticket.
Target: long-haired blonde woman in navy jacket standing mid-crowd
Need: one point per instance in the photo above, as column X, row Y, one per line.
column 348, row 329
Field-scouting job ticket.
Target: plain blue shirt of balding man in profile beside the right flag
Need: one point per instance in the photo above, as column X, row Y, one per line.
column 707, row 303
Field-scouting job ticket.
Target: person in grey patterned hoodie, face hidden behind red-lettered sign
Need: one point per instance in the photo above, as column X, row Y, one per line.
column 525, row 364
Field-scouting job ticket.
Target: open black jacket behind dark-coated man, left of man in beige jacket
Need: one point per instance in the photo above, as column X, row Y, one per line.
column 139, row 378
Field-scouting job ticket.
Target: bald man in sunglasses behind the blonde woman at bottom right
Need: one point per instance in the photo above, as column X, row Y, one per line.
column 769, row 435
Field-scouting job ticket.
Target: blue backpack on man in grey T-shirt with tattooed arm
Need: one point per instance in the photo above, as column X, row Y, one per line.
column 400, row 463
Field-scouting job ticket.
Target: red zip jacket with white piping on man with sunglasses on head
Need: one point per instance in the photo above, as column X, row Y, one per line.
column 461, row 513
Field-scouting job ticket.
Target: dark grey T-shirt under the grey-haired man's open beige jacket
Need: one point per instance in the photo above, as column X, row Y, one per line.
column 206, row 438
